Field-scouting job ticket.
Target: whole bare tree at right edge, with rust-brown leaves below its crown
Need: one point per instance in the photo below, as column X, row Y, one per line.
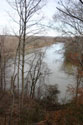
column 70, row 16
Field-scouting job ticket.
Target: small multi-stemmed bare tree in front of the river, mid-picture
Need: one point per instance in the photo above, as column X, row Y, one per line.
column 38, row 71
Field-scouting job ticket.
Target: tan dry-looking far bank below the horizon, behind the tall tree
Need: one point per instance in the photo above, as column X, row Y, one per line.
column 11, row 42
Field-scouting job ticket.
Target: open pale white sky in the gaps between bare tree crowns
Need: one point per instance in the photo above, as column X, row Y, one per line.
column 7, row 23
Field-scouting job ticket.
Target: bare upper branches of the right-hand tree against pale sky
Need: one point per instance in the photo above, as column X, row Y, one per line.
column 70, row 17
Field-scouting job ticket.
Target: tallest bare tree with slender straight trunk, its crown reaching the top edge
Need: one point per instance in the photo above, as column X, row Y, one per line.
column 26, row 11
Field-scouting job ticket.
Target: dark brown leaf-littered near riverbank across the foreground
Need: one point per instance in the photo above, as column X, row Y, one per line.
column 35, row 113
